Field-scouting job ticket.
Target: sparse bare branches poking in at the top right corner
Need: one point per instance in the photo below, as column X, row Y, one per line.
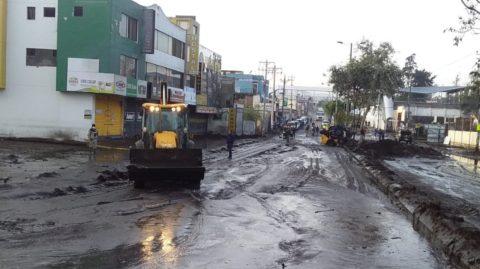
column 467, row 24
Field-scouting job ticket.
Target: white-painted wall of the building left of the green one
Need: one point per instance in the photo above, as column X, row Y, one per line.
column 30, row 104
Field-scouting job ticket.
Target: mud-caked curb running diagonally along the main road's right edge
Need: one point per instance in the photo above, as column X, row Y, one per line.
column 452, row 237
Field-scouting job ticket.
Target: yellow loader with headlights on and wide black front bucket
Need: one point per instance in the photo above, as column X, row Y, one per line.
column 165, row 152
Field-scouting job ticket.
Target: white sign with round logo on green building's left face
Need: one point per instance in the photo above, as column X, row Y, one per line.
column 90, row 82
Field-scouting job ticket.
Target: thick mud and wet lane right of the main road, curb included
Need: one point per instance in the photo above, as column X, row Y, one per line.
column 438, row 198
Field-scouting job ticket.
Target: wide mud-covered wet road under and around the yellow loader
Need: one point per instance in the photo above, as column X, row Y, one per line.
column 303, row 206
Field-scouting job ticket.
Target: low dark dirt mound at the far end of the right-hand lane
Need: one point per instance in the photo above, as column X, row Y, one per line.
column 391, row 148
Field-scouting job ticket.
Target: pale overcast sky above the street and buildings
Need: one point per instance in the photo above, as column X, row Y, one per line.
column 301, row 36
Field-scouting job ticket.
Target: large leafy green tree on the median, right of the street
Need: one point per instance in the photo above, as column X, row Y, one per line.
column 362, row 80
